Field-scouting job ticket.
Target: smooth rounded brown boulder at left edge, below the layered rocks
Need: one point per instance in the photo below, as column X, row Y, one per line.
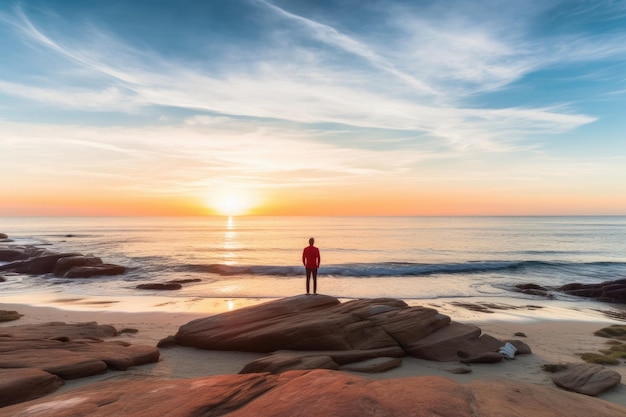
column 19, row 385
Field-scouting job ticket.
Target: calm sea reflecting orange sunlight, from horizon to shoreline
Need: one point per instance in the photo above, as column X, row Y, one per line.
column 259, row 257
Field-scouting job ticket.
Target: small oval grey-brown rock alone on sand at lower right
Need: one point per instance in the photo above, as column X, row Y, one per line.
column 586, row 378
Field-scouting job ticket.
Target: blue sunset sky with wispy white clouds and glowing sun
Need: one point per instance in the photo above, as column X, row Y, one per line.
column 312, row 107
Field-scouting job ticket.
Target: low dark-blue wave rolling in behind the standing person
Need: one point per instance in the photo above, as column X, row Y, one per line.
column 393, row 269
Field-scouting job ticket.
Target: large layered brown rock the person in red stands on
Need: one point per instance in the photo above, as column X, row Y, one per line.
column 322, row 323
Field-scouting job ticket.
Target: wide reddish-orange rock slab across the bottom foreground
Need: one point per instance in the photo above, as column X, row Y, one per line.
column 313, row 394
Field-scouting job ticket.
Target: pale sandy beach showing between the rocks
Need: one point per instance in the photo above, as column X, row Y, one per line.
column 556, row 333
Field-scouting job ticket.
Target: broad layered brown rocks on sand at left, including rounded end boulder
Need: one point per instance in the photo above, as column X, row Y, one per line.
column 53, row 352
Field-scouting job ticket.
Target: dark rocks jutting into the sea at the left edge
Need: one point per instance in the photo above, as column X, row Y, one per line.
column 37, row 261
